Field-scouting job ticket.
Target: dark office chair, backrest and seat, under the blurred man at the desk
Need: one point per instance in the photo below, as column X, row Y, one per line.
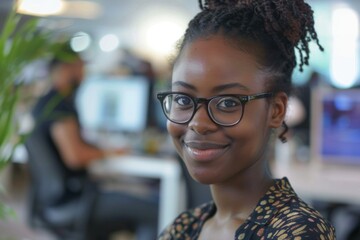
column 66, row 219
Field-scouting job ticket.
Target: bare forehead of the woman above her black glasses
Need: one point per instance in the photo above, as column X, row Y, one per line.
column 214, row 60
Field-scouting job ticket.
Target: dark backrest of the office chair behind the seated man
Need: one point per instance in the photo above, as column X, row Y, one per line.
column 47, row 175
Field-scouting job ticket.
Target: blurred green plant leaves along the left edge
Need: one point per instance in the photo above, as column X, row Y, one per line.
column 21, row 42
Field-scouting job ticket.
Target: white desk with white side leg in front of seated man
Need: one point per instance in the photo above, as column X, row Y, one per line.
column 167, row 170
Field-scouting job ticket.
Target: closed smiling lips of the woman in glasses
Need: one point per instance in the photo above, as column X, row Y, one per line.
column 205, row 152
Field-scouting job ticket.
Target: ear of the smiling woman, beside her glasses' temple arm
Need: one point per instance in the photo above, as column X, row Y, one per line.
column 278, row 110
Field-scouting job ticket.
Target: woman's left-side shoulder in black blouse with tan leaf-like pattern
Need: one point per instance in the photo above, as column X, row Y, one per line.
column 188, row 223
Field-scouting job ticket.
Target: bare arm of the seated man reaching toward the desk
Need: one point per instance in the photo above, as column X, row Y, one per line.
column 75, row 152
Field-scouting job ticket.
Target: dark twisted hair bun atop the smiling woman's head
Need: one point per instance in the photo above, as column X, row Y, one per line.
column 290, row 23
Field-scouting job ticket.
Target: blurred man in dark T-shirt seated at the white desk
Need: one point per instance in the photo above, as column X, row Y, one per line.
column 57, row 121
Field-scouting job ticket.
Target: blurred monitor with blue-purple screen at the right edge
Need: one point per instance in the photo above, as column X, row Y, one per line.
column 335, row 137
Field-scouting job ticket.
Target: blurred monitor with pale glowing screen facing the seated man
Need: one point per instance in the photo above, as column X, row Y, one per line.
column 114, row 103
